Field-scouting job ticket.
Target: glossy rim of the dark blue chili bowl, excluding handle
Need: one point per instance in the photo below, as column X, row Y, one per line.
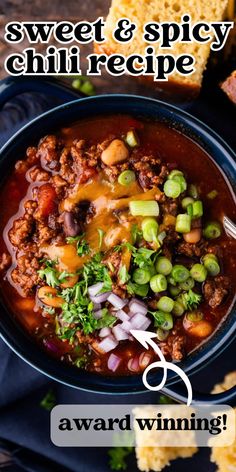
column 209, row 350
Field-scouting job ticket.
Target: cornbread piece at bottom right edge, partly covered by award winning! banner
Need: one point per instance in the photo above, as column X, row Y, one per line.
column 225, row 457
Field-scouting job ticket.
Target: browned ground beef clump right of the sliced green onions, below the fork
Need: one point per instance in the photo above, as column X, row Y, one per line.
column 215, row 290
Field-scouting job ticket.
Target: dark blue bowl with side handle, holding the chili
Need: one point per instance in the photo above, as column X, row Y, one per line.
column 13, row 333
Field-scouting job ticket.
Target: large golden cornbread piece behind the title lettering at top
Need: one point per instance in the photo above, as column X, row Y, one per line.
column 142, row 12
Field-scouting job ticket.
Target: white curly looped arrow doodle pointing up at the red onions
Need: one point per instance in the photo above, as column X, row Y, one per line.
column 146, row 339
